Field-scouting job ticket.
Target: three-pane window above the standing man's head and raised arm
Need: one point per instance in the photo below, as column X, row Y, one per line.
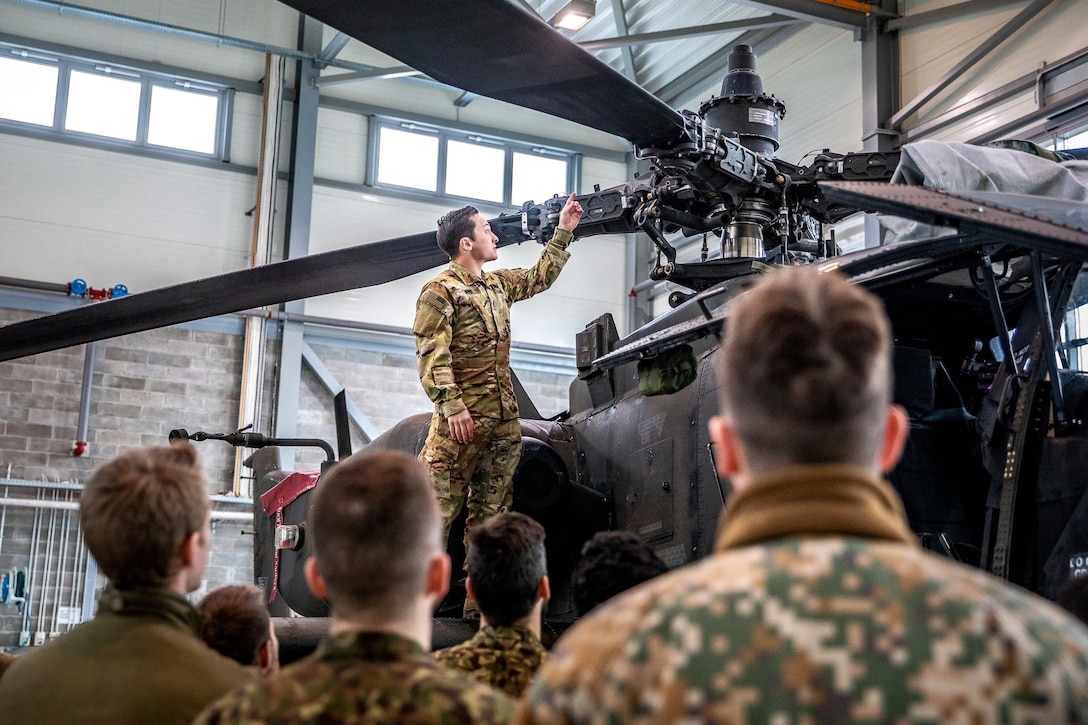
column 453, row 164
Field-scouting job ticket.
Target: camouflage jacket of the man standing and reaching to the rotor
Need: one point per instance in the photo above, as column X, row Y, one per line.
column 463, row 333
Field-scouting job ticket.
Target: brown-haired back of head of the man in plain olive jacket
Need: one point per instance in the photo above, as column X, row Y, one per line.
column 139, row 509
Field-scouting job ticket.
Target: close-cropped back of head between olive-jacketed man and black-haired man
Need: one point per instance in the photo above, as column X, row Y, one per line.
column 375, row 525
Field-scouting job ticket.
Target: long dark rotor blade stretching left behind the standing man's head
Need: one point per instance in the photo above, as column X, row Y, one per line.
column 294, row 279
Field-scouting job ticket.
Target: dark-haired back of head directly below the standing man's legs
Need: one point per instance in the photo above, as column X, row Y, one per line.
column 506, row 561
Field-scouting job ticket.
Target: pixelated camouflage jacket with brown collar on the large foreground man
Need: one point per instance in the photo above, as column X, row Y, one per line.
column 808, row 626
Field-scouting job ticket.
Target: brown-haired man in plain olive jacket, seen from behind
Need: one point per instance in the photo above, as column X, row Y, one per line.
column 146, row 519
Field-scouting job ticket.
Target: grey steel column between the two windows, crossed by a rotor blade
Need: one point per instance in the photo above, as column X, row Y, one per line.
column 300, row 207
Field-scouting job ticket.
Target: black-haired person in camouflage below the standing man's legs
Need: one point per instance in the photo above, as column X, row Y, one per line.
column 509, row 579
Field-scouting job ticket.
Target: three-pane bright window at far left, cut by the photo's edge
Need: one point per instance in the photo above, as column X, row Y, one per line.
column 68, row 95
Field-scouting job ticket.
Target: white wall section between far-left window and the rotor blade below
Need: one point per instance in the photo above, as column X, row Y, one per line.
column 70, row 212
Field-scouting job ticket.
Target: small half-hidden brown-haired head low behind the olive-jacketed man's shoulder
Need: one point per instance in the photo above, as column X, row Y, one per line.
column 236, row 623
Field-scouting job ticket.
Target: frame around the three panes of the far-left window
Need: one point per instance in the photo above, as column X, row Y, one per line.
column 149, row 80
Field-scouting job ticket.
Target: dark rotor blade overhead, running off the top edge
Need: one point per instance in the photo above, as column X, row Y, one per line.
column 503, row 51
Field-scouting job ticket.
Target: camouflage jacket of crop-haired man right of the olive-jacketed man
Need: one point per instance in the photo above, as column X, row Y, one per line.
column 363, row 678
